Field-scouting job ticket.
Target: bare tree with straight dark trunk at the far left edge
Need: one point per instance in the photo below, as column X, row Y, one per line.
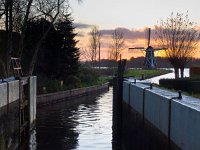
column 12, row 14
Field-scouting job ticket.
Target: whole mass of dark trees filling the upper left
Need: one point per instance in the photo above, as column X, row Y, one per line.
column 41, row 34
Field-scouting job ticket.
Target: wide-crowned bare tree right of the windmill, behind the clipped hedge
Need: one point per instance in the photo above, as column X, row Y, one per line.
column 177, row 33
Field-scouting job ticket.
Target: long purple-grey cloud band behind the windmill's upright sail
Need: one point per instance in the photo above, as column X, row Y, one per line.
column 128, row 34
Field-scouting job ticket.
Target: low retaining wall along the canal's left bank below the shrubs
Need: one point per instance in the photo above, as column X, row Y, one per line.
column 45, row 99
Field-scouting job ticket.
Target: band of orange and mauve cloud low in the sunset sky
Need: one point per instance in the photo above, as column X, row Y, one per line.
column 133, row 38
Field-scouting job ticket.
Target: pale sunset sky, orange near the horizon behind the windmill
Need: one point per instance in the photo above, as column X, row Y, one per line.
column 129, row 16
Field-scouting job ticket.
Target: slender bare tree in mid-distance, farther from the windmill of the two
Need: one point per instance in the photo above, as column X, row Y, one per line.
column 95, row 36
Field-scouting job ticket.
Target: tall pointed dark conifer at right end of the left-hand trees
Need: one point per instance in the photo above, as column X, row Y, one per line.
column 69, row 51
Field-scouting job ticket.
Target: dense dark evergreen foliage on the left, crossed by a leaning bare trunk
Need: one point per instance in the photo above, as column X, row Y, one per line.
column 58, row 56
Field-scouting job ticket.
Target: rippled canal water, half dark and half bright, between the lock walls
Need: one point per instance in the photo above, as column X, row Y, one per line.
column 81, row 124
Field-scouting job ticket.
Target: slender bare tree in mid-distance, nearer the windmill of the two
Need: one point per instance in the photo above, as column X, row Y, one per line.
column 117, row 45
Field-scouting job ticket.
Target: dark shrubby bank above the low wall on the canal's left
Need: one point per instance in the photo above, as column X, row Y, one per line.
column 86, row 77
